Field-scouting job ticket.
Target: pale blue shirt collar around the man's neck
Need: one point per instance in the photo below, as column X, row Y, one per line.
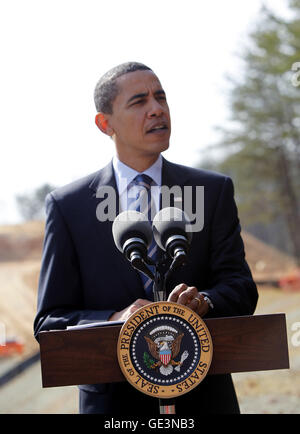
column 125, row 174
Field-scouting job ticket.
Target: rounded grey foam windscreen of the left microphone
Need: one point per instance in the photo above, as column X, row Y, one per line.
column 131, row 224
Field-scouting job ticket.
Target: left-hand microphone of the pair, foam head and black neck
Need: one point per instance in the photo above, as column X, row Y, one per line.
column 132, row 235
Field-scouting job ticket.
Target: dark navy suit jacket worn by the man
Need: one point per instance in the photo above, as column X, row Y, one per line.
column 84, row 277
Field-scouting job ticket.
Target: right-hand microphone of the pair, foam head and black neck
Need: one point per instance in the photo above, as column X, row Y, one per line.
column 169, row 230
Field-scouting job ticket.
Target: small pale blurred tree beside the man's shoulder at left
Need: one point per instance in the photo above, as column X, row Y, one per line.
column 31, row 206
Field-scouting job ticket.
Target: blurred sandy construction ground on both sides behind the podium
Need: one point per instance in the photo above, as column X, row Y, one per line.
column 267, row 392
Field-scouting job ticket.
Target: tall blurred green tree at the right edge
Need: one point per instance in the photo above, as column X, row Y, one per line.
column 263, row 139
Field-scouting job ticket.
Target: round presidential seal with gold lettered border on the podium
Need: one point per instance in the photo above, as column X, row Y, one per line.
column 164, row 349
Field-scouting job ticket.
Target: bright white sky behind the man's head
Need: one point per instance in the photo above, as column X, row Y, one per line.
column 54, row 52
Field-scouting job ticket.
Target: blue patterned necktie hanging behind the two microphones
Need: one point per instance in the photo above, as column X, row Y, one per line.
column 142, row 201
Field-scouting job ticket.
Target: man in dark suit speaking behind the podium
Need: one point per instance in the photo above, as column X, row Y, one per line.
column 84, row 278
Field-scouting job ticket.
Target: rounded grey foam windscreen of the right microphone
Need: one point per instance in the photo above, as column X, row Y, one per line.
column 169, row 222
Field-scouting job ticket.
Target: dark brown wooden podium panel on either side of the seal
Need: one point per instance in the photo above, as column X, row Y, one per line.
column 88, row 356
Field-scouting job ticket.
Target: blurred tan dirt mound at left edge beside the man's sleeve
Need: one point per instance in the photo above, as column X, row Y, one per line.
column 20, row 256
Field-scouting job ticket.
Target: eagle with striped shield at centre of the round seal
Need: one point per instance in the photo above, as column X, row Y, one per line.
column 164, row 344
